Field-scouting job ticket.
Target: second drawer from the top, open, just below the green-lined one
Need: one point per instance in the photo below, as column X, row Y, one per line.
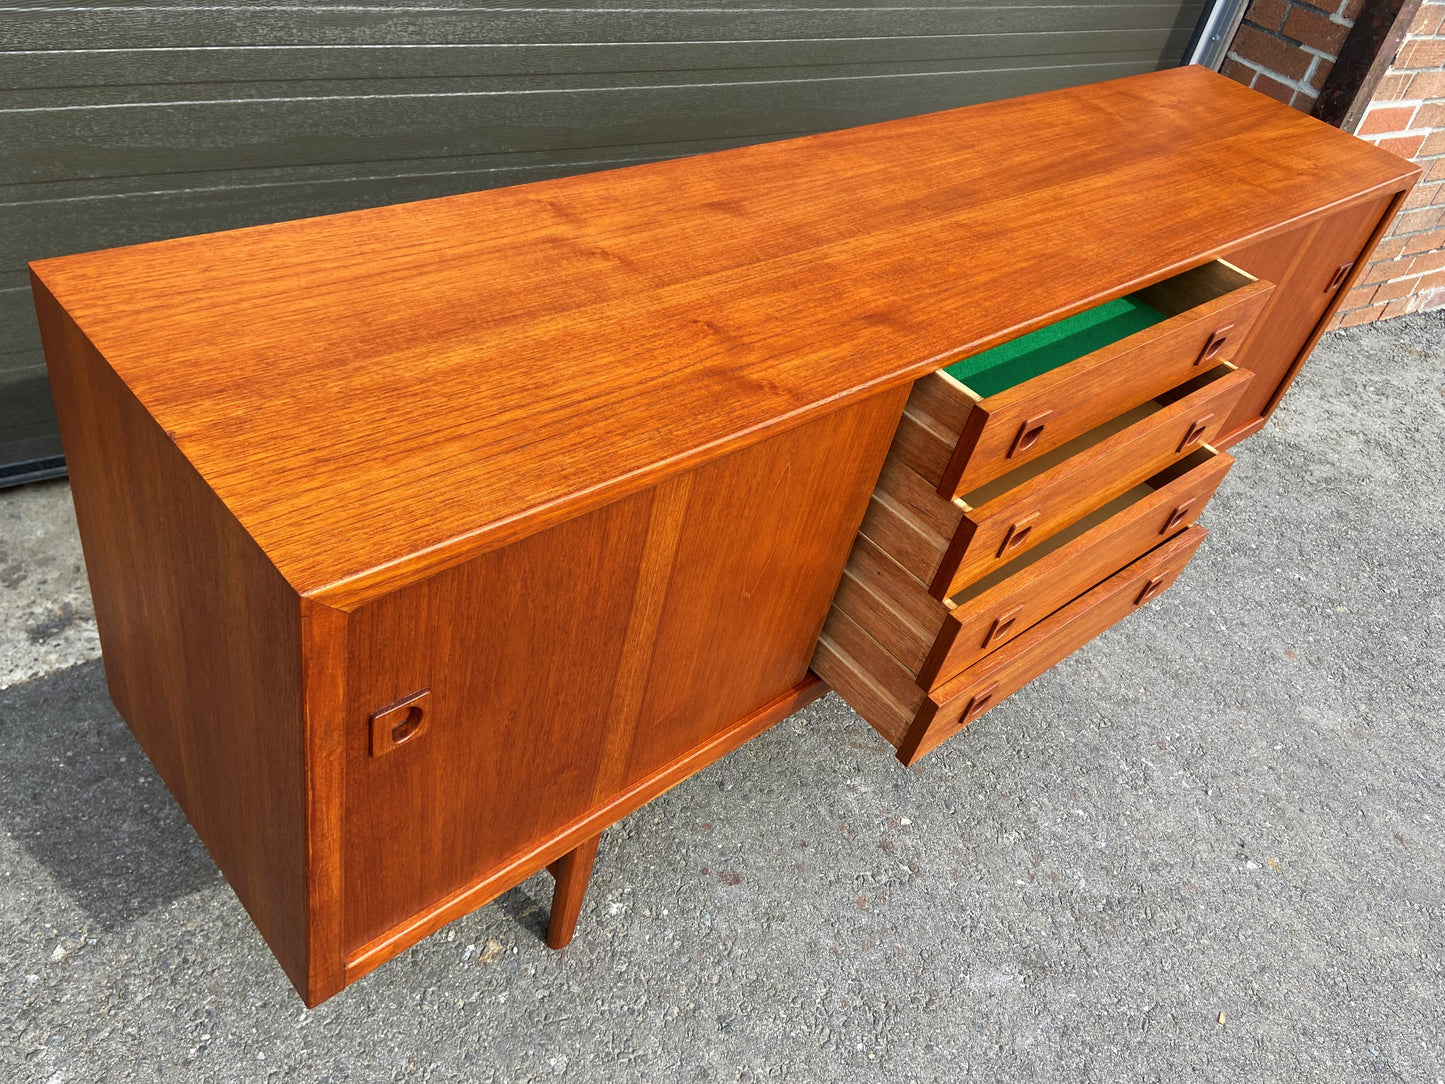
column 952, row 543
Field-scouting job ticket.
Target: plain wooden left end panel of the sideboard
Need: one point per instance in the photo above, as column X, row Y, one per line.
column 200, row 637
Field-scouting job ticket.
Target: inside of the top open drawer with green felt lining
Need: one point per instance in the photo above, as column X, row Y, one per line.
column 1044, row 350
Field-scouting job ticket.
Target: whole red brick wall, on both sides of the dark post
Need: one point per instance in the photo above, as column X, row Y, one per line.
column 1287, row 50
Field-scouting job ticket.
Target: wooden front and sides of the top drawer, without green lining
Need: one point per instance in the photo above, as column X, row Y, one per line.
column 960, row 442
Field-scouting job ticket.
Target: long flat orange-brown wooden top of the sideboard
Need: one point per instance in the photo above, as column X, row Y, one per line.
column 382, row 394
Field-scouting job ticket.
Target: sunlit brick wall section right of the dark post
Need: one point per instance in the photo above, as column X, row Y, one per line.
column 1407, row 272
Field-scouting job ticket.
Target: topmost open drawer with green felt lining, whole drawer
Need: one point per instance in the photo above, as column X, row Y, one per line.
column 992, row 413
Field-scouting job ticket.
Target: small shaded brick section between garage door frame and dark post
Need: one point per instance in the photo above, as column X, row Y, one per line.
column 1287, row 50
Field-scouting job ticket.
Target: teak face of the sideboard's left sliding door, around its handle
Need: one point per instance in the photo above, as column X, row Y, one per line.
column 582, row 663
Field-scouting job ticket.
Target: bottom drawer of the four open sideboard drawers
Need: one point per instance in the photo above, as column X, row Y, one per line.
column 884, row 692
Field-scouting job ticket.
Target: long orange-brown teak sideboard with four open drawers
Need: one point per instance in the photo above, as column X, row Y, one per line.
column 428, row 541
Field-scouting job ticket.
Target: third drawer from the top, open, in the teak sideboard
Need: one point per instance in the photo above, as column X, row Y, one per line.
column 936, row 640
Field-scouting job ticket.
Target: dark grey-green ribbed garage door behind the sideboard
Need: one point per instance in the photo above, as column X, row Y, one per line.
column 125, row 124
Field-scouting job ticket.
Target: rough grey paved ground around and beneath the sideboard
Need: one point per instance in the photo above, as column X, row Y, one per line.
column 1210, row 846
